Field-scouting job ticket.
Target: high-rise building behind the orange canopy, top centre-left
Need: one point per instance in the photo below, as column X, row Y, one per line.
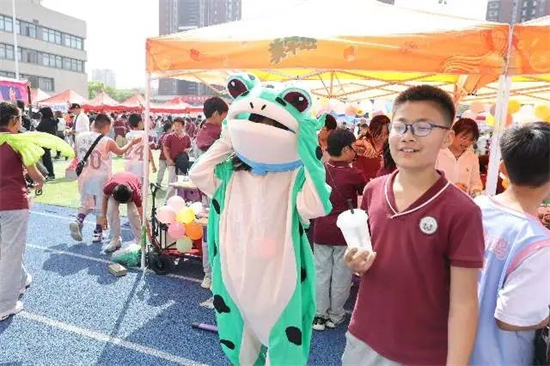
column 182, row 15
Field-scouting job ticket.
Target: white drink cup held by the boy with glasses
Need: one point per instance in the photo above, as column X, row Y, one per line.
column 354, row 227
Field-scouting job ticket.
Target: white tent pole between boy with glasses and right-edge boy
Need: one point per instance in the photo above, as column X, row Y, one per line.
column 505, row 82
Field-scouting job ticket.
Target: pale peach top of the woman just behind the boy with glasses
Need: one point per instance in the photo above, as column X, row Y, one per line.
column 463, row 170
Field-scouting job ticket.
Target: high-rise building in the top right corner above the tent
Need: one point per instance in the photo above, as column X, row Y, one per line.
column 516, row 11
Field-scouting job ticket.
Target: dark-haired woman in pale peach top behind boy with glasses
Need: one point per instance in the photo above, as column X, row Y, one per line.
column 459, row 162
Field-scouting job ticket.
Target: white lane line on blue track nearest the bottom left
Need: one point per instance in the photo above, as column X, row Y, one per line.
column 102, row 337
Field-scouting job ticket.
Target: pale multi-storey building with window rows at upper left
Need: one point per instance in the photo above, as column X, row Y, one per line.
column 50, row 47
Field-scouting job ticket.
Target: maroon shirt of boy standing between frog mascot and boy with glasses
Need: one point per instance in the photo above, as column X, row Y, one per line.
column 346, row 183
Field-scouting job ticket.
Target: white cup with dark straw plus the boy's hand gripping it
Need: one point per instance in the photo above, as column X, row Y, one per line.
column 353, row 223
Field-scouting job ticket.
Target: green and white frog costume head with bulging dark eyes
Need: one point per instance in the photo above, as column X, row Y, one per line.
column 264, row 124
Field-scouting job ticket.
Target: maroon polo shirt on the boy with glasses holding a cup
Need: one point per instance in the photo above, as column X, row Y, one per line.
column 402, row 307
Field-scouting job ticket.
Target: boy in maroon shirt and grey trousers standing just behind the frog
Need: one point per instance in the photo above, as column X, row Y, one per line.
column 333, row 278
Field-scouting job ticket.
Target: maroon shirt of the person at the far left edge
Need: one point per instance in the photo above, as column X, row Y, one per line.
column 13, row 187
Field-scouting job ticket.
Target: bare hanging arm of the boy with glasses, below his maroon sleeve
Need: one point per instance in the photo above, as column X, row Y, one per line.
column 463, row 315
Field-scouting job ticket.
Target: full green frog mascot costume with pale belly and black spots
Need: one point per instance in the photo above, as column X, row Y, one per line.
column 266, row 181
